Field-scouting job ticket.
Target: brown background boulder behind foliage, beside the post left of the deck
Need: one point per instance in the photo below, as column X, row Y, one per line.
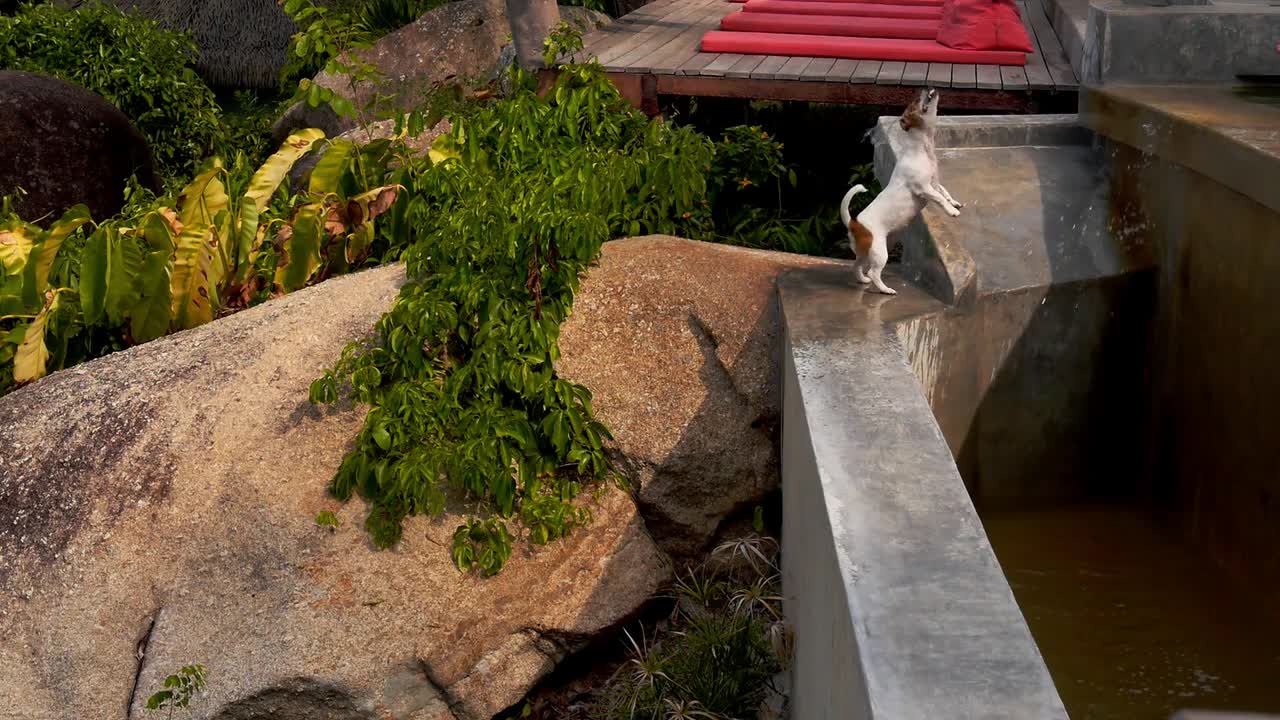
column 461, row 42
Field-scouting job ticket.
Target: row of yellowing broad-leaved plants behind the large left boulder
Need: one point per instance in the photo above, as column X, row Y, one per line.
column 230, row 240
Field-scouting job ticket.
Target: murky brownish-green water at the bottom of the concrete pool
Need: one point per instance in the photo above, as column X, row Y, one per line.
column 1133, row 623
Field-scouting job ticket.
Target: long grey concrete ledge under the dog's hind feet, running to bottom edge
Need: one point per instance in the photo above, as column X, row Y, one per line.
column 900, row 609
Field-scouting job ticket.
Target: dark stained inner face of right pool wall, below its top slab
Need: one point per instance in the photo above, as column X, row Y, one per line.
column 1213, row 453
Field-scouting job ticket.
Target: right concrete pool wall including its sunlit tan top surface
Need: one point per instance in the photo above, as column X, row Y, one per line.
column 1187, row 167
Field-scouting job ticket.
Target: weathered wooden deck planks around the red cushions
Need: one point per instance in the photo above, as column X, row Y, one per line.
column 656, row 52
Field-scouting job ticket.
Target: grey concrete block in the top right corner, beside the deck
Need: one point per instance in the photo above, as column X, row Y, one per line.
column 1178, row 44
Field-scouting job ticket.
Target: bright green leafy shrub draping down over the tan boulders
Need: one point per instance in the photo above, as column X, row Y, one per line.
column 461, row 377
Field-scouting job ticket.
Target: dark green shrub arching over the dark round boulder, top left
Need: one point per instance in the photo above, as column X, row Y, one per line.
column 145, row 71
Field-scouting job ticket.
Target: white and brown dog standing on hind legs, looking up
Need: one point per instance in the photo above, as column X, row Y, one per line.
column 913, row 185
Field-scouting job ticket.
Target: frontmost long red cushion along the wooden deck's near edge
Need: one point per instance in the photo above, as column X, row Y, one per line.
column 853, row 48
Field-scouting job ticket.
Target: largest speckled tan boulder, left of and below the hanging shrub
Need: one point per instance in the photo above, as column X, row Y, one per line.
column 164, row 499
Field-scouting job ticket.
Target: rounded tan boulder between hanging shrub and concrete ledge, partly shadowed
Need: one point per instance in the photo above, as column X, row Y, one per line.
column 679, row 343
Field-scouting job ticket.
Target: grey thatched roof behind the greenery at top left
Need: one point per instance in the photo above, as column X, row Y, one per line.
column 243, row 43
